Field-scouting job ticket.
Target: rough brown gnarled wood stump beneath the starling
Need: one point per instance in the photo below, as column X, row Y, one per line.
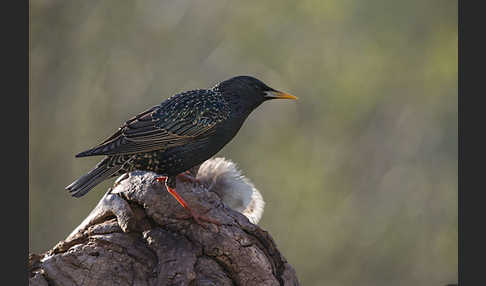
column 139, row 235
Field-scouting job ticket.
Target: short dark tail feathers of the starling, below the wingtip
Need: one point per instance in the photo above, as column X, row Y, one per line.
column 84, row 184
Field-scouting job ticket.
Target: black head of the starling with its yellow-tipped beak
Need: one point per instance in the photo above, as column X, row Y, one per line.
column 248, row 92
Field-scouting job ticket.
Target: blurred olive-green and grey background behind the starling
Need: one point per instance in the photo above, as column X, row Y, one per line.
column 359, row 176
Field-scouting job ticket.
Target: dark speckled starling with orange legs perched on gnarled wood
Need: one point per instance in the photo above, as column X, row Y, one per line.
column 183, row 131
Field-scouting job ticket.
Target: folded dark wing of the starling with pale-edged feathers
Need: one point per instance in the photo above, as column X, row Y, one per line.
column 179, row 120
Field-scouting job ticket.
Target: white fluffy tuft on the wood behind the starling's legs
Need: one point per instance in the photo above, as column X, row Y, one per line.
column 237, row 192
